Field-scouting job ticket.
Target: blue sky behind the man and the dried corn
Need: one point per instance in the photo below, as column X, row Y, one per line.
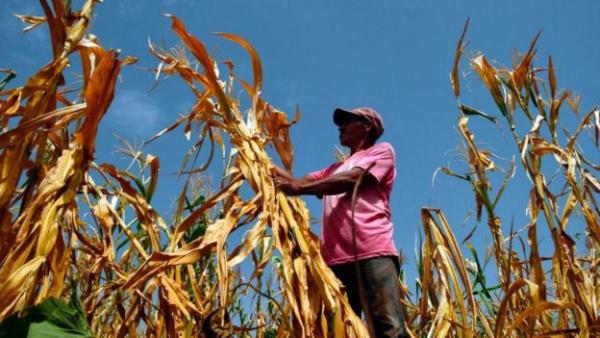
column 392, row 55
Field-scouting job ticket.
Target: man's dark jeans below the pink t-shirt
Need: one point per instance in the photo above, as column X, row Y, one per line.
column 381, row 290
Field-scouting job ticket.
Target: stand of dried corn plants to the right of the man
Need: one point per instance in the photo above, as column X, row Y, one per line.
column 562, row 301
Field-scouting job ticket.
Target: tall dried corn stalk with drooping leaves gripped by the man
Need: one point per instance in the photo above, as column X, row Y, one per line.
column 314, row 299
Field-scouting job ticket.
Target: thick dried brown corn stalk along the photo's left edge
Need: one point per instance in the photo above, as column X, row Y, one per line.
column 39, row 154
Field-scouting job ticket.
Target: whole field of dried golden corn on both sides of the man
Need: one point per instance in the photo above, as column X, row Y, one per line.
column 74, row 229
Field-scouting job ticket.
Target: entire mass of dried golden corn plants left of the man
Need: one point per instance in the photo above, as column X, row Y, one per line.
column 72, row 219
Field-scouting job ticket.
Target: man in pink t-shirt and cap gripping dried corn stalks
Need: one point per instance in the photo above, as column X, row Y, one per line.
column 357, row 240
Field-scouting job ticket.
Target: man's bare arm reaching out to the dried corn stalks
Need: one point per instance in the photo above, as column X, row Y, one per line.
column 332, row 185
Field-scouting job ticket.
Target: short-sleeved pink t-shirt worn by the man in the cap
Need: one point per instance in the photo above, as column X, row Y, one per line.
column 374, row 228
